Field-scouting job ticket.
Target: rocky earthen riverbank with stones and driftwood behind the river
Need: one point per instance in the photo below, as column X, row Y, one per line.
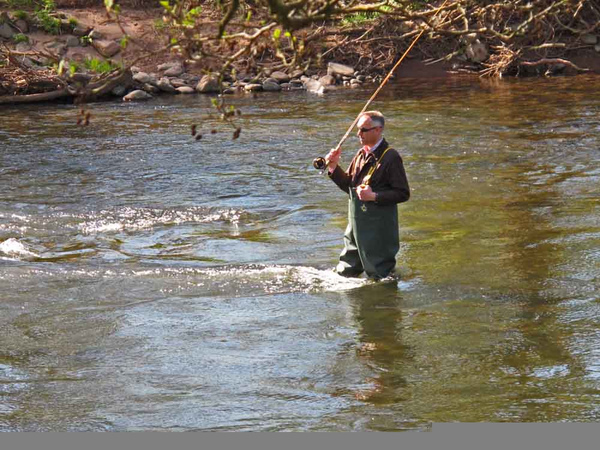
column 90, row 45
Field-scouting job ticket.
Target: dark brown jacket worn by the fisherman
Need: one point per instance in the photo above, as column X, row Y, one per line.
column 389, row 181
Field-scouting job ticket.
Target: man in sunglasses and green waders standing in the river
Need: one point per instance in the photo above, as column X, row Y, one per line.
column 376, row 182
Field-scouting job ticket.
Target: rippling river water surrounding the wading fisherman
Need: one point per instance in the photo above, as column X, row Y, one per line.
column 150, row 281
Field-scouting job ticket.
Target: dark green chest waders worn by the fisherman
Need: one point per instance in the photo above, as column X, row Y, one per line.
column 371, row 241
